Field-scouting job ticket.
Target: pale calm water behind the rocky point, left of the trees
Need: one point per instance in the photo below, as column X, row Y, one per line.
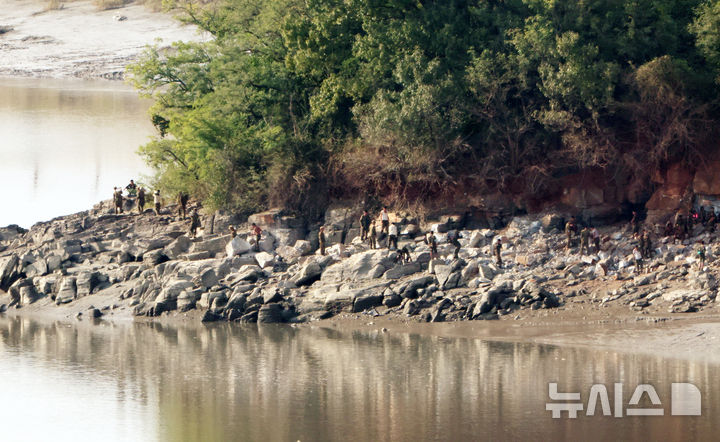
column 65, row 144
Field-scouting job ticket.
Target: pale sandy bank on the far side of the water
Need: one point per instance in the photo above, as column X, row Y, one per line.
column 79, row 40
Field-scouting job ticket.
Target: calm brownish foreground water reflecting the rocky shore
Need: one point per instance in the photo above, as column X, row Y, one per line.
column 153, row 382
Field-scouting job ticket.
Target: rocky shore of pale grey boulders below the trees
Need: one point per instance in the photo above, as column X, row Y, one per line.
column 98, row 264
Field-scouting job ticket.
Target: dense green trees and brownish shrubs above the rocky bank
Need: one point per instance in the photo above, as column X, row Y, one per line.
column 291, row 102
